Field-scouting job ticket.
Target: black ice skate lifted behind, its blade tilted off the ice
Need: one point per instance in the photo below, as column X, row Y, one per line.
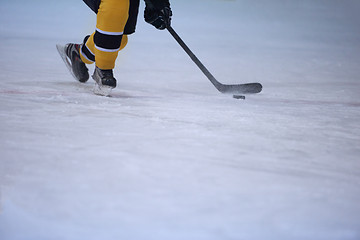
column 70, row 53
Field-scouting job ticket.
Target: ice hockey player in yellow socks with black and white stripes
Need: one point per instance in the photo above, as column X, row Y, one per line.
column 115, row 20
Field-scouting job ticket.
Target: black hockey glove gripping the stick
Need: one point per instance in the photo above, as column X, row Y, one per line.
column 158, row 13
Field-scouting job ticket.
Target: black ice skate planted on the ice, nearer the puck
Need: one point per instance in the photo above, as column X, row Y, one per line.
column 105, row 81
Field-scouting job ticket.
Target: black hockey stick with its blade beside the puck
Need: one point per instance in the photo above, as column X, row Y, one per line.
column 244, row 88
